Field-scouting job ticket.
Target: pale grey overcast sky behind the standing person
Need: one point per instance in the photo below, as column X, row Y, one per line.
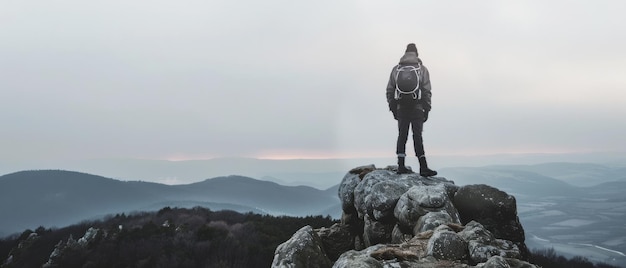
column 306, row 79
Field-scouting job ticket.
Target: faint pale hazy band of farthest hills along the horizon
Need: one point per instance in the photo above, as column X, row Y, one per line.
column 318, row 173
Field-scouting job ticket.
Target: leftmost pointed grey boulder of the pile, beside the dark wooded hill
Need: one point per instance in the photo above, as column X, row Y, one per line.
column 303, row 249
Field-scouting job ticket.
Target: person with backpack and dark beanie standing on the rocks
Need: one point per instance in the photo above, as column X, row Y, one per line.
column 408, row 95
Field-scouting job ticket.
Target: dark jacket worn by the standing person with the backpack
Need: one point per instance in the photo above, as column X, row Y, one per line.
column 406, row 106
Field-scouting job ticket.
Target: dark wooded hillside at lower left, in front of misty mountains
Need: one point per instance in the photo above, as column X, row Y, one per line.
column 171, row 237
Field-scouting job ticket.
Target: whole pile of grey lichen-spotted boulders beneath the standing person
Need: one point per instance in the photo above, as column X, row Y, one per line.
column 405, row 220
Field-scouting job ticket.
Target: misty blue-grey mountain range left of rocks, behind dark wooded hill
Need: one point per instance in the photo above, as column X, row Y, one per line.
column 29, row 199
